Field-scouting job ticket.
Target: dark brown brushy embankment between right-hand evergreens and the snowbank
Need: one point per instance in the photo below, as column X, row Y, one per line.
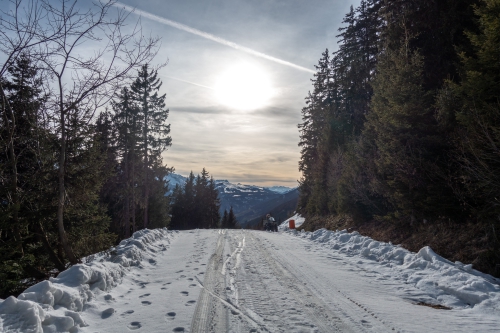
column 471, row 243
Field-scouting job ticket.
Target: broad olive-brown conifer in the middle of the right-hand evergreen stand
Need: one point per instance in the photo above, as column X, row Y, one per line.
column 408, row 141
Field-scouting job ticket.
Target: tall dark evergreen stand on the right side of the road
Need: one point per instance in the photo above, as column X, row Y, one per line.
column 402, row 122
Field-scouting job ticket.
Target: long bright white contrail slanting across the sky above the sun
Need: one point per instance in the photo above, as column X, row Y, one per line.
column 207, row 35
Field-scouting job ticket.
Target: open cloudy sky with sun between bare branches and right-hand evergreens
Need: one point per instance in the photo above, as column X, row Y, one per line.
column 242, row 130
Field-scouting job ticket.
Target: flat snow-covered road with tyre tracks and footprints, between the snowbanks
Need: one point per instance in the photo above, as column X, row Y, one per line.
column 254, row 281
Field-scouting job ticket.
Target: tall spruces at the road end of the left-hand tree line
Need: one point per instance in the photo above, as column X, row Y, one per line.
column 141, row 136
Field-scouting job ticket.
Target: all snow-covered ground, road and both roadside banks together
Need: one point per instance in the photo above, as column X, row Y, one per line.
column 255, row 281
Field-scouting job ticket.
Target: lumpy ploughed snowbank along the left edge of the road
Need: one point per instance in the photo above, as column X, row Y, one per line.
column 53, row 305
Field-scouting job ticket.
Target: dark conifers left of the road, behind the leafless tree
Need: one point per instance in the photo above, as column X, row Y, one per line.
column 113, row 177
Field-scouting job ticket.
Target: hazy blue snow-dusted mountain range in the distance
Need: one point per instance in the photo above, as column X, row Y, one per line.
column 250, row 202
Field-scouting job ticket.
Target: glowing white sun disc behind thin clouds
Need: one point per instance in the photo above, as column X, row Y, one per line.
column 244, row 87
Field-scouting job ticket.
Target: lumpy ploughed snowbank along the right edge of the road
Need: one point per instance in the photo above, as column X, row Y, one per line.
column 451, row 284
